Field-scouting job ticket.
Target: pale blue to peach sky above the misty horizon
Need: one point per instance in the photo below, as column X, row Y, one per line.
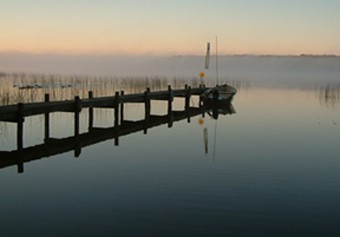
column 164, row 27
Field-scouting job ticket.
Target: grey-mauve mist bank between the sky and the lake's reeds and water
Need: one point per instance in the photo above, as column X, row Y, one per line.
column 283, row 71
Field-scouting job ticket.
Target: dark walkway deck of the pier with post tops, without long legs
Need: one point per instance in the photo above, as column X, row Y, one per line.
column 16, row 113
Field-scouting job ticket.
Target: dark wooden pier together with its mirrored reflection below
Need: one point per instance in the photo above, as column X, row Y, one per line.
column 122, row 127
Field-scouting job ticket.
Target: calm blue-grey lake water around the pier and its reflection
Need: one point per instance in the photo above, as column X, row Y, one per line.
column 271, row 169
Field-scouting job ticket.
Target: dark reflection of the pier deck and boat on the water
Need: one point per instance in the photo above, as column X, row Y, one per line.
column 53, row 146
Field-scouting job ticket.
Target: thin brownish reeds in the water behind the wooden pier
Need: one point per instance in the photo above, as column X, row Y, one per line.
column 24, row 88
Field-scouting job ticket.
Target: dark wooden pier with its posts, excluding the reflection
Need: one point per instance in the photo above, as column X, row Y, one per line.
column 17, row 113
